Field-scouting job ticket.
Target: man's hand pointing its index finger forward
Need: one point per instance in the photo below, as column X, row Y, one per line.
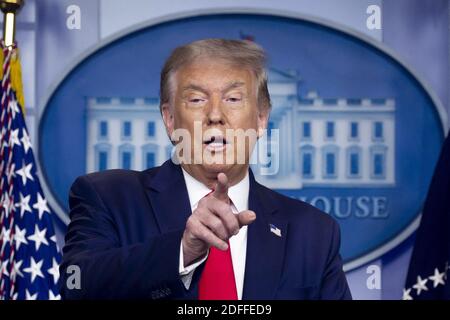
column 213, row 223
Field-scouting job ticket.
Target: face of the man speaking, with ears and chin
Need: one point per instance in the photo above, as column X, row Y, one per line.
column 217, row 98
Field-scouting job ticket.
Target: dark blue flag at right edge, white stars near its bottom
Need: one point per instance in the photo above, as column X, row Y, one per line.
column 429, row 268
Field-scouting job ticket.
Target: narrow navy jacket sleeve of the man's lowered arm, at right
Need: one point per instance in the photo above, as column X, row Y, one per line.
column 334, row 283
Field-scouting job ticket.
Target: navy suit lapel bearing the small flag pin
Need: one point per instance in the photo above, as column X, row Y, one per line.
column 265, row 250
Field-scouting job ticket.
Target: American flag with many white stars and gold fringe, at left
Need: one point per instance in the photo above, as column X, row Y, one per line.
column 29, row 256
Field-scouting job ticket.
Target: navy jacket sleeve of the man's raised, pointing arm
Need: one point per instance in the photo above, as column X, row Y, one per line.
column 107, row 270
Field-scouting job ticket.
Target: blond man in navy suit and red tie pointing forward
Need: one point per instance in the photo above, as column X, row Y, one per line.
column 200, row 226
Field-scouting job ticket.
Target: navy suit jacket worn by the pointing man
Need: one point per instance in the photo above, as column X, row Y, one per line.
column 126, row 229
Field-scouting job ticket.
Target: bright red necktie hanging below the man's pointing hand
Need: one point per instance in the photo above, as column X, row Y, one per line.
column 217, row 281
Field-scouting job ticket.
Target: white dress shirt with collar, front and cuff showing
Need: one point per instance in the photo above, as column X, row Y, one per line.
column 238, row 195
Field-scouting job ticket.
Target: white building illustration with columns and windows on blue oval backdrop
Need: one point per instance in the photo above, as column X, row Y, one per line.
column 339, row 142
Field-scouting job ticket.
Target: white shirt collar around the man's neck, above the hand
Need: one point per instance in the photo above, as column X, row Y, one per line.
column 237, row 193
